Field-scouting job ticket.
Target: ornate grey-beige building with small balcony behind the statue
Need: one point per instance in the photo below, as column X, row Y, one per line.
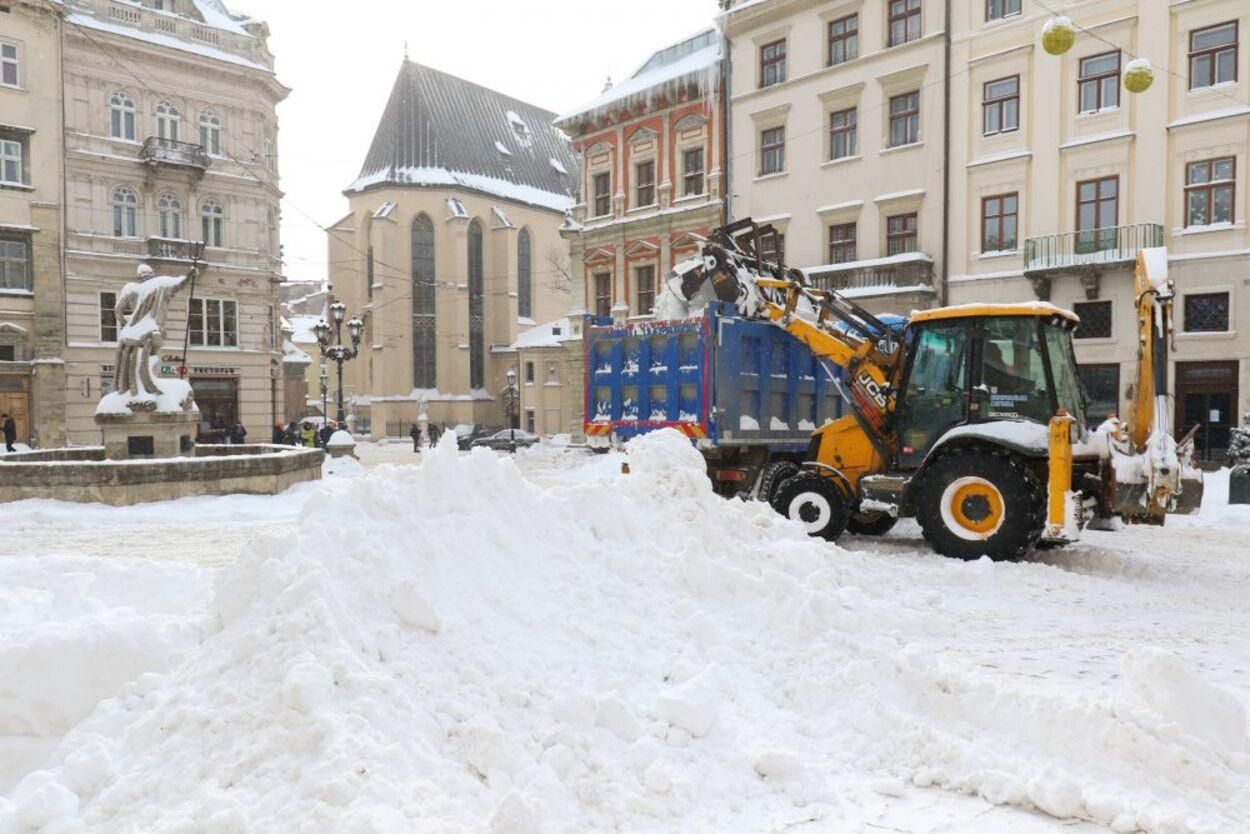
column 171, row 139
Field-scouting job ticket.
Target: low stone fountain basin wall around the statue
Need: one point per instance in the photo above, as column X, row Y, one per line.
column 84, row 476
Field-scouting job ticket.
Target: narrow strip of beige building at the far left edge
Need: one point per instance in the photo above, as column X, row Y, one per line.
column 32, row 319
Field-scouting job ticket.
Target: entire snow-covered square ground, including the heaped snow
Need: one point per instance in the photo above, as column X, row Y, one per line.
column 464, row 643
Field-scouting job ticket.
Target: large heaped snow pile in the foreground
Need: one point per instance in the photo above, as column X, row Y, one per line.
column 454, row 648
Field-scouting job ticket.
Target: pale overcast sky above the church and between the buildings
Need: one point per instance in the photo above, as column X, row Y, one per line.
column 342, row 59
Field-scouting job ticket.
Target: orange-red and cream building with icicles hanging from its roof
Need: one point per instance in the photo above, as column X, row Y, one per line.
column 652, row 177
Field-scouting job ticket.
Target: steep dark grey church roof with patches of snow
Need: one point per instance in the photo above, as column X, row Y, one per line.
column 441, row 131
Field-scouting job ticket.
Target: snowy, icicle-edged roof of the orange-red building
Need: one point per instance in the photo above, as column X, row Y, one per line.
column 694, row 59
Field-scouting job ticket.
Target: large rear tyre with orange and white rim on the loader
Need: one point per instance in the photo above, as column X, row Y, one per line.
column 981, row 503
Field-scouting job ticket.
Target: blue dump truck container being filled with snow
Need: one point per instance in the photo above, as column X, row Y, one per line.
column 746, row 392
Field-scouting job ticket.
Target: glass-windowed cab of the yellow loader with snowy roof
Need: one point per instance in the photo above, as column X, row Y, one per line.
column 984, row 363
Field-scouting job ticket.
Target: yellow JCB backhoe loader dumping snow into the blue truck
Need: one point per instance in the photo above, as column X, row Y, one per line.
column 972, row 421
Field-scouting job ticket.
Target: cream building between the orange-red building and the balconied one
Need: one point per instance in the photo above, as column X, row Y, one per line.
column 837, row 139
